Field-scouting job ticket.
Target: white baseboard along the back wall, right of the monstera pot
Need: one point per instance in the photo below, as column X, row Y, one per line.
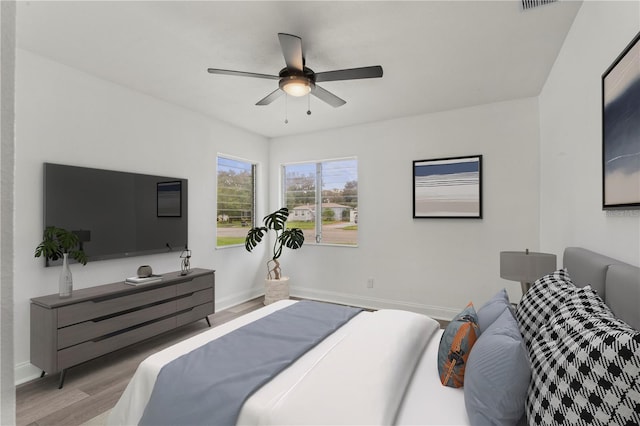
column 436, row 312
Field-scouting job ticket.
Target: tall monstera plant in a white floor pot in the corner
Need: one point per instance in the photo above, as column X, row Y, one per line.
column 276, row 286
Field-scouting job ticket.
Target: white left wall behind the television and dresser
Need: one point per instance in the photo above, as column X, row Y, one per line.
column 69, row 117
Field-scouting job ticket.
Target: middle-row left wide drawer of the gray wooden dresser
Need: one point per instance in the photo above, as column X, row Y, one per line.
column 93, row 329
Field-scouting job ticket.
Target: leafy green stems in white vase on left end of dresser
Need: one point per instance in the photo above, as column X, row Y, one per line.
column 58, row 243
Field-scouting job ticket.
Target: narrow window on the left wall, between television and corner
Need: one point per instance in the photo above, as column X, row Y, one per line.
column 236, row 200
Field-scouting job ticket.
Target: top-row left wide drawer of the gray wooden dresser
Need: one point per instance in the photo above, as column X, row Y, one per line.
column 80, row 312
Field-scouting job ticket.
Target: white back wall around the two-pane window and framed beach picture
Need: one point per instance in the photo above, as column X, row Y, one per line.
column 434, row 266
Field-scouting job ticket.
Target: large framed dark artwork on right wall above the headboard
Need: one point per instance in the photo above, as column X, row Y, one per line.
column 621, row 130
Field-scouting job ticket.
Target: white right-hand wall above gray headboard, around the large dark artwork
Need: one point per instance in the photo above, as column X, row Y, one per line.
column 571, row 137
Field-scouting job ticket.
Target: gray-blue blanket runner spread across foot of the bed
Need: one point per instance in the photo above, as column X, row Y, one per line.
column 208, row 385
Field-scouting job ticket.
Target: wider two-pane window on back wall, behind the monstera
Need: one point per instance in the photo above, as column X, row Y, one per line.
column 322, row 198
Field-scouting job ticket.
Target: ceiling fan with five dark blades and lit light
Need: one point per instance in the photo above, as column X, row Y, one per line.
column 297, row 80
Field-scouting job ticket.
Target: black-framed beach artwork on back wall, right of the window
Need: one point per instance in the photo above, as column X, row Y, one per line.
column 448, row 187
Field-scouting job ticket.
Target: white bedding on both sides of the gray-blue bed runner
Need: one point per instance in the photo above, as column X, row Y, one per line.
column 337, row 382
